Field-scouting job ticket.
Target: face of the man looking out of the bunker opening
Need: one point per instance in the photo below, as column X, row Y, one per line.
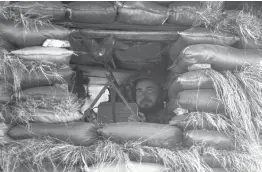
column 147, row 93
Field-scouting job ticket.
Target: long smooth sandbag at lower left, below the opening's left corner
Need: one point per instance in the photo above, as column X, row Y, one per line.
column 76, row 133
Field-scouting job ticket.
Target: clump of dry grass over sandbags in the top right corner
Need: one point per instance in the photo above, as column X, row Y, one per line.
column 250, row 18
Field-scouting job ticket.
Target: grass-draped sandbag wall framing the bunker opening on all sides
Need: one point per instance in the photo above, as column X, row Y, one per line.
column 197, row 141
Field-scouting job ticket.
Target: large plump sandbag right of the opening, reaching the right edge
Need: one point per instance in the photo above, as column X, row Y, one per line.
column 220, row 57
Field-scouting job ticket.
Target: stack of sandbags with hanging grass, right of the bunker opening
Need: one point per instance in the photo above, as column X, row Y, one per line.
column 208, row 79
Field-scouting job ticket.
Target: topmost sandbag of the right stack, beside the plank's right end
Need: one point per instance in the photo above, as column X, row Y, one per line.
column 197, row 35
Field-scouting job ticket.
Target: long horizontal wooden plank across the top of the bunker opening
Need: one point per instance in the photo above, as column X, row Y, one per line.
column 159, row 36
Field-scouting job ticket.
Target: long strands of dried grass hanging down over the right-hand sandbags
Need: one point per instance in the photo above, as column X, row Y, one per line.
column 235, row 90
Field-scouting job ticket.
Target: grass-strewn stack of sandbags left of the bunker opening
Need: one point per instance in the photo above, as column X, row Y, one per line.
column 35, row 71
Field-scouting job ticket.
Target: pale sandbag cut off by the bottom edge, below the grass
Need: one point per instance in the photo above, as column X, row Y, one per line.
column 128, row 167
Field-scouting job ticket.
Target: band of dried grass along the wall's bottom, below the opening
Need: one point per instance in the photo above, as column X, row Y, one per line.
column 38, row 152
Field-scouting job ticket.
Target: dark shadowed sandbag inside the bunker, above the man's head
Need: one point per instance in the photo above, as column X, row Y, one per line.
column 139, row 56
